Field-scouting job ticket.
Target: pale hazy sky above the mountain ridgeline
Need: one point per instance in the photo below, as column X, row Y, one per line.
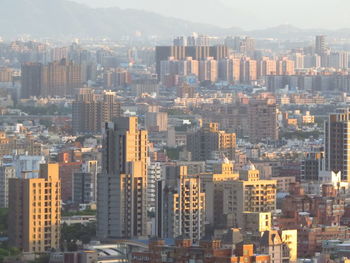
column 247, row 14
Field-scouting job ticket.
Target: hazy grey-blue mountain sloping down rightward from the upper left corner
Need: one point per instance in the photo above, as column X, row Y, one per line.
column 62, row 18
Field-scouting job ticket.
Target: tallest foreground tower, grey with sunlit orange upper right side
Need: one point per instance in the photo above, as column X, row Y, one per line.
column 122, row 185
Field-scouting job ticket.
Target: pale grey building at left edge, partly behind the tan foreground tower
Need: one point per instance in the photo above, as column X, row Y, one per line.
column 6, row 172
